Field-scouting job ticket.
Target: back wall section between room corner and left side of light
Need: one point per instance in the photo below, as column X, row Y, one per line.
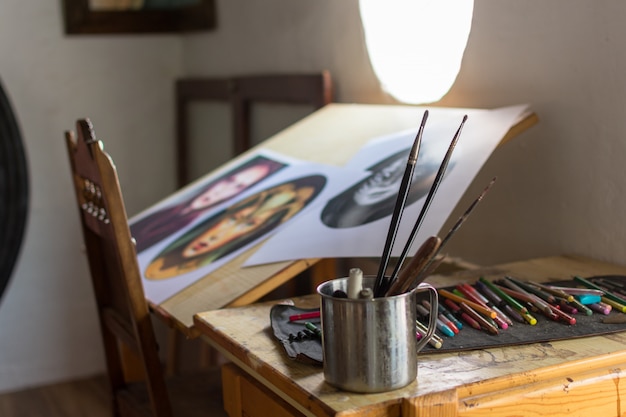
column 282, row 35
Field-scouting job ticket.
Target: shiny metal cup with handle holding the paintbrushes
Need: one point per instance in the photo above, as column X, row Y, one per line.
column 371, row 345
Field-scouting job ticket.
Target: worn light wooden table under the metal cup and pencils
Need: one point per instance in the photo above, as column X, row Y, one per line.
column 580, row 377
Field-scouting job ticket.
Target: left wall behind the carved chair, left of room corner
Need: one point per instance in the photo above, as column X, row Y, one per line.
column 48, row 328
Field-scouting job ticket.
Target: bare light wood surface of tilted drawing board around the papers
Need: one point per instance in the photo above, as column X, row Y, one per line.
column 315, row 139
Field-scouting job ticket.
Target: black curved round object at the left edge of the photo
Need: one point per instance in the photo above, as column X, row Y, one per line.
column 13, row 190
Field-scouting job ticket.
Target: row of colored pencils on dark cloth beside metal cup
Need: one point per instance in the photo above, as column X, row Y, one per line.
column 494, row 306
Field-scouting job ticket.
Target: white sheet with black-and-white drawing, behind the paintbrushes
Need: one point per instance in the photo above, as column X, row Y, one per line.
column 351, row 234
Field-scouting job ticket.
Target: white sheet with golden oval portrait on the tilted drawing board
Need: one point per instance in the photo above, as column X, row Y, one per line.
column 225, row 231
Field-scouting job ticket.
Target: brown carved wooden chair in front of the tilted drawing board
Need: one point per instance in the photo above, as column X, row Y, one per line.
column 123, row 311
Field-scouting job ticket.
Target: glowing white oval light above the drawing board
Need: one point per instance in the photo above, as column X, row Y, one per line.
column 416, row 46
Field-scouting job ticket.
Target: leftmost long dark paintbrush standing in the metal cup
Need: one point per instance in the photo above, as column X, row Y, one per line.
column 380, row 284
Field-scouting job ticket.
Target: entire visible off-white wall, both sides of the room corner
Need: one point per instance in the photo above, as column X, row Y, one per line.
column 560, row 187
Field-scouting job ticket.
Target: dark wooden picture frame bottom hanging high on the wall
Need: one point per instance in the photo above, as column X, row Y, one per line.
column 137, row 16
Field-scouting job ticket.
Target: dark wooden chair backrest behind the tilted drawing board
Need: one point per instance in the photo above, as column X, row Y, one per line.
column 242, row 92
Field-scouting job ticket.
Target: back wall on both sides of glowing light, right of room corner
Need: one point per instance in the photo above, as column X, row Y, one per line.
column 560, row 184
